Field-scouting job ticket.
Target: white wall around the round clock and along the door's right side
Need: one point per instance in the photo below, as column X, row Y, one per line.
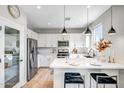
column 22, row 20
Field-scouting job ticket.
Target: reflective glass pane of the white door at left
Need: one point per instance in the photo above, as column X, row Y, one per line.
column 12, row 56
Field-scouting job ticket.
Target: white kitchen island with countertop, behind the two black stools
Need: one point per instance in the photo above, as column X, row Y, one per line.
column 85, row 66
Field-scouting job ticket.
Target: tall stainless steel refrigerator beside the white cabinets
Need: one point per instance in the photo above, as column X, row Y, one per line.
column 31, row 58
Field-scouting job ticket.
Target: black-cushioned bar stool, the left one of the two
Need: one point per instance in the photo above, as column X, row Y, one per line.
column 73, row 78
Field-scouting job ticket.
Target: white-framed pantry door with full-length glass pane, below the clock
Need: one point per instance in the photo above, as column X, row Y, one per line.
column 11, row 52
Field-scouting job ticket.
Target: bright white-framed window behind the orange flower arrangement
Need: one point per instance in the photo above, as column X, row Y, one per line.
column 97, row 34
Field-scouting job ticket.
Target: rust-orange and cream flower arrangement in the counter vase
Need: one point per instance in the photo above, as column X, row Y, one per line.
column 102, row 45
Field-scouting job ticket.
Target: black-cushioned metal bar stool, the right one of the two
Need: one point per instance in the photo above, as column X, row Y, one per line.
column 102, row 78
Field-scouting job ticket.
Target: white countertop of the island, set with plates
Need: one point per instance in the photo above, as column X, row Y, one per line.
column 84, row 63
